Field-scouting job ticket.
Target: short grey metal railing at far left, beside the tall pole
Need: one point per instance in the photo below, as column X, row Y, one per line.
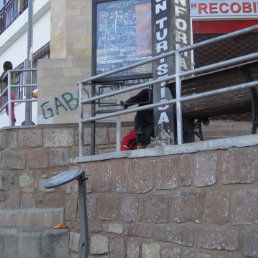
column 9, row 88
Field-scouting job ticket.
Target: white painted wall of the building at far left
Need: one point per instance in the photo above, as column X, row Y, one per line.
column 13, row 47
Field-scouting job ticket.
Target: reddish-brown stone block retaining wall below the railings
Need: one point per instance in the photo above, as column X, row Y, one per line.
column 200, row 204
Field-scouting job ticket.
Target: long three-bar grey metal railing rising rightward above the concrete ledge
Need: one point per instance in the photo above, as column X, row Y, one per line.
column 177, row 77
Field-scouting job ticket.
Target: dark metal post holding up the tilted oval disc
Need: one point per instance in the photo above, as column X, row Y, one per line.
column 83, row 216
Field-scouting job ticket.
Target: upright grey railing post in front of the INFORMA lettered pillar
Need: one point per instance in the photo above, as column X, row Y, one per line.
column 178, row 102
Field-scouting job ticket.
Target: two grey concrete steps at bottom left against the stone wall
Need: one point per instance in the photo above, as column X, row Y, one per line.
column 29, row 233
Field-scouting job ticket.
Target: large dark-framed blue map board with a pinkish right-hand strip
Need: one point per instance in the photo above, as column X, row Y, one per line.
column 122, row 36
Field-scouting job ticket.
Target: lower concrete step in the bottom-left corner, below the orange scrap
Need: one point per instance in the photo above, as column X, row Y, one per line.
column 33, row 243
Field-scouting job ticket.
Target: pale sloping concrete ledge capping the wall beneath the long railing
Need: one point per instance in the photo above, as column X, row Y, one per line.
column 226, row 143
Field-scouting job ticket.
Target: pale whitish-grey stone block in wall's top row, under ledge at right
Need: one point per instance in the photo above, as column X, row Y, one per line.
column 205, row 168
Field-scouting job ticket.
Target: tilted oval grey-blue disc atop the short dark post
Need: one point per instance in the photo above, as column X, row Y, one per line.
column 62, row 178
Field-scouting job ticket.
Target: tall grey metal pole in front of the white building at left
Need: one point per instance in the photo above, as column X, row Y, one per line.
column 28, row 106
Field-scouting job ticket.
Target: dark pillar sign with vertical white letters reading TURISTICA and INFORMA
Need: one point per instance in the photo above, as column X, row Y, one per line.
column 171, row 23
